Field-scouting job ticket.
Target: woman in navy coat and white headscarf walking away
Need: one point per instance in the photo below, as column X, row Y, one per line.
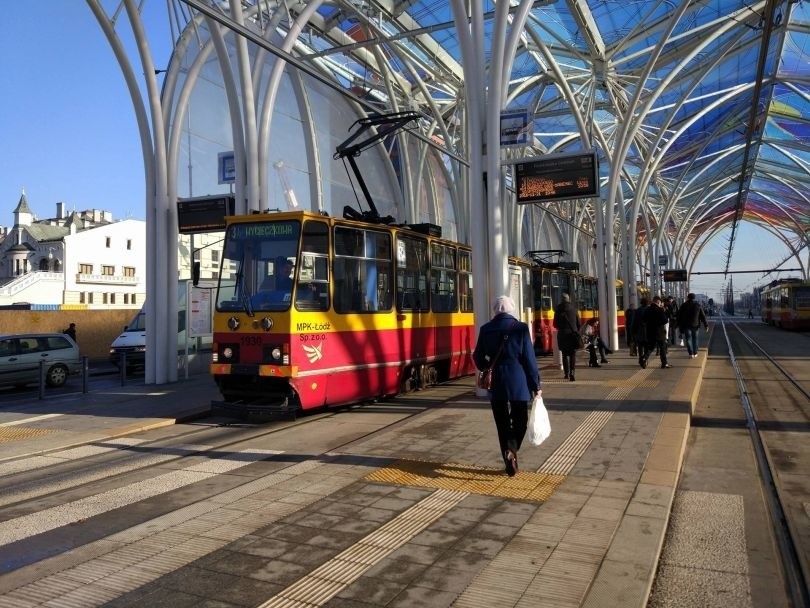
column 505, row 344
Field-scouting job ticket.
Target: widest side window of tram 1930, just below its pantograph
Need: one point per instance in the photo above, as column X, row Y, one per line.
column 361, row 282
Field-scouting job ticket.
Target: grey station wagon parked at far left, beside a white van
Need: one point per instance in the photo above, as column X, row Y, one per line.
column 20, row 355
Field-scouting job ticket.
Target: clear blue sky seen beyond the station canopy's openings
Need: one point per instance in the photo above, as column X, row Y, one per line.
column 68, row 132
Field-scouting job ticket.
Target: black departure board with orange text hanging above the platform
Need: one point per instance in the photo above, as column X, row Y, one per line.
column 556, row 177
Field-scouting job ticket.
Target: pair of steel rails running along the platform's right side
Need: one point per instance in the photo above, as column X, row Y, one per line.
column 794, row 577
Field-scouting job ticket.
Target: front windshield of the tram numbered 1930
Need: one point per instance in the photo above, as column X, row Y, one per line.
column 258, row 266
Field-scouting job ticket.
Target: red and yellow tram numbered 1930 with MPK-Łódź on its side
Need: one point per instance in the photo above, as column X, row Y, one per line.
column 363, row 311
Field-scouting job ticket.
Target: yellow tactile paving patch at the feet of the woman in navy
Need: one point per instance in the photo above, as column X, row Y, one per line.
column 526, row 485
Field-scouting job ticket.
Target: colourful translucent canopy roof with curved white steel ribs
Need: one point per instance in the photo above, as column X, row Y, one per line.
column 712, row 94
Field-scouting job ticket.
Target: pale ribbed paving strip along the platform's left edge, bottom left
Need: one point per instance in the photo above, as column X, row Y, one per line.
column 164, row 544
